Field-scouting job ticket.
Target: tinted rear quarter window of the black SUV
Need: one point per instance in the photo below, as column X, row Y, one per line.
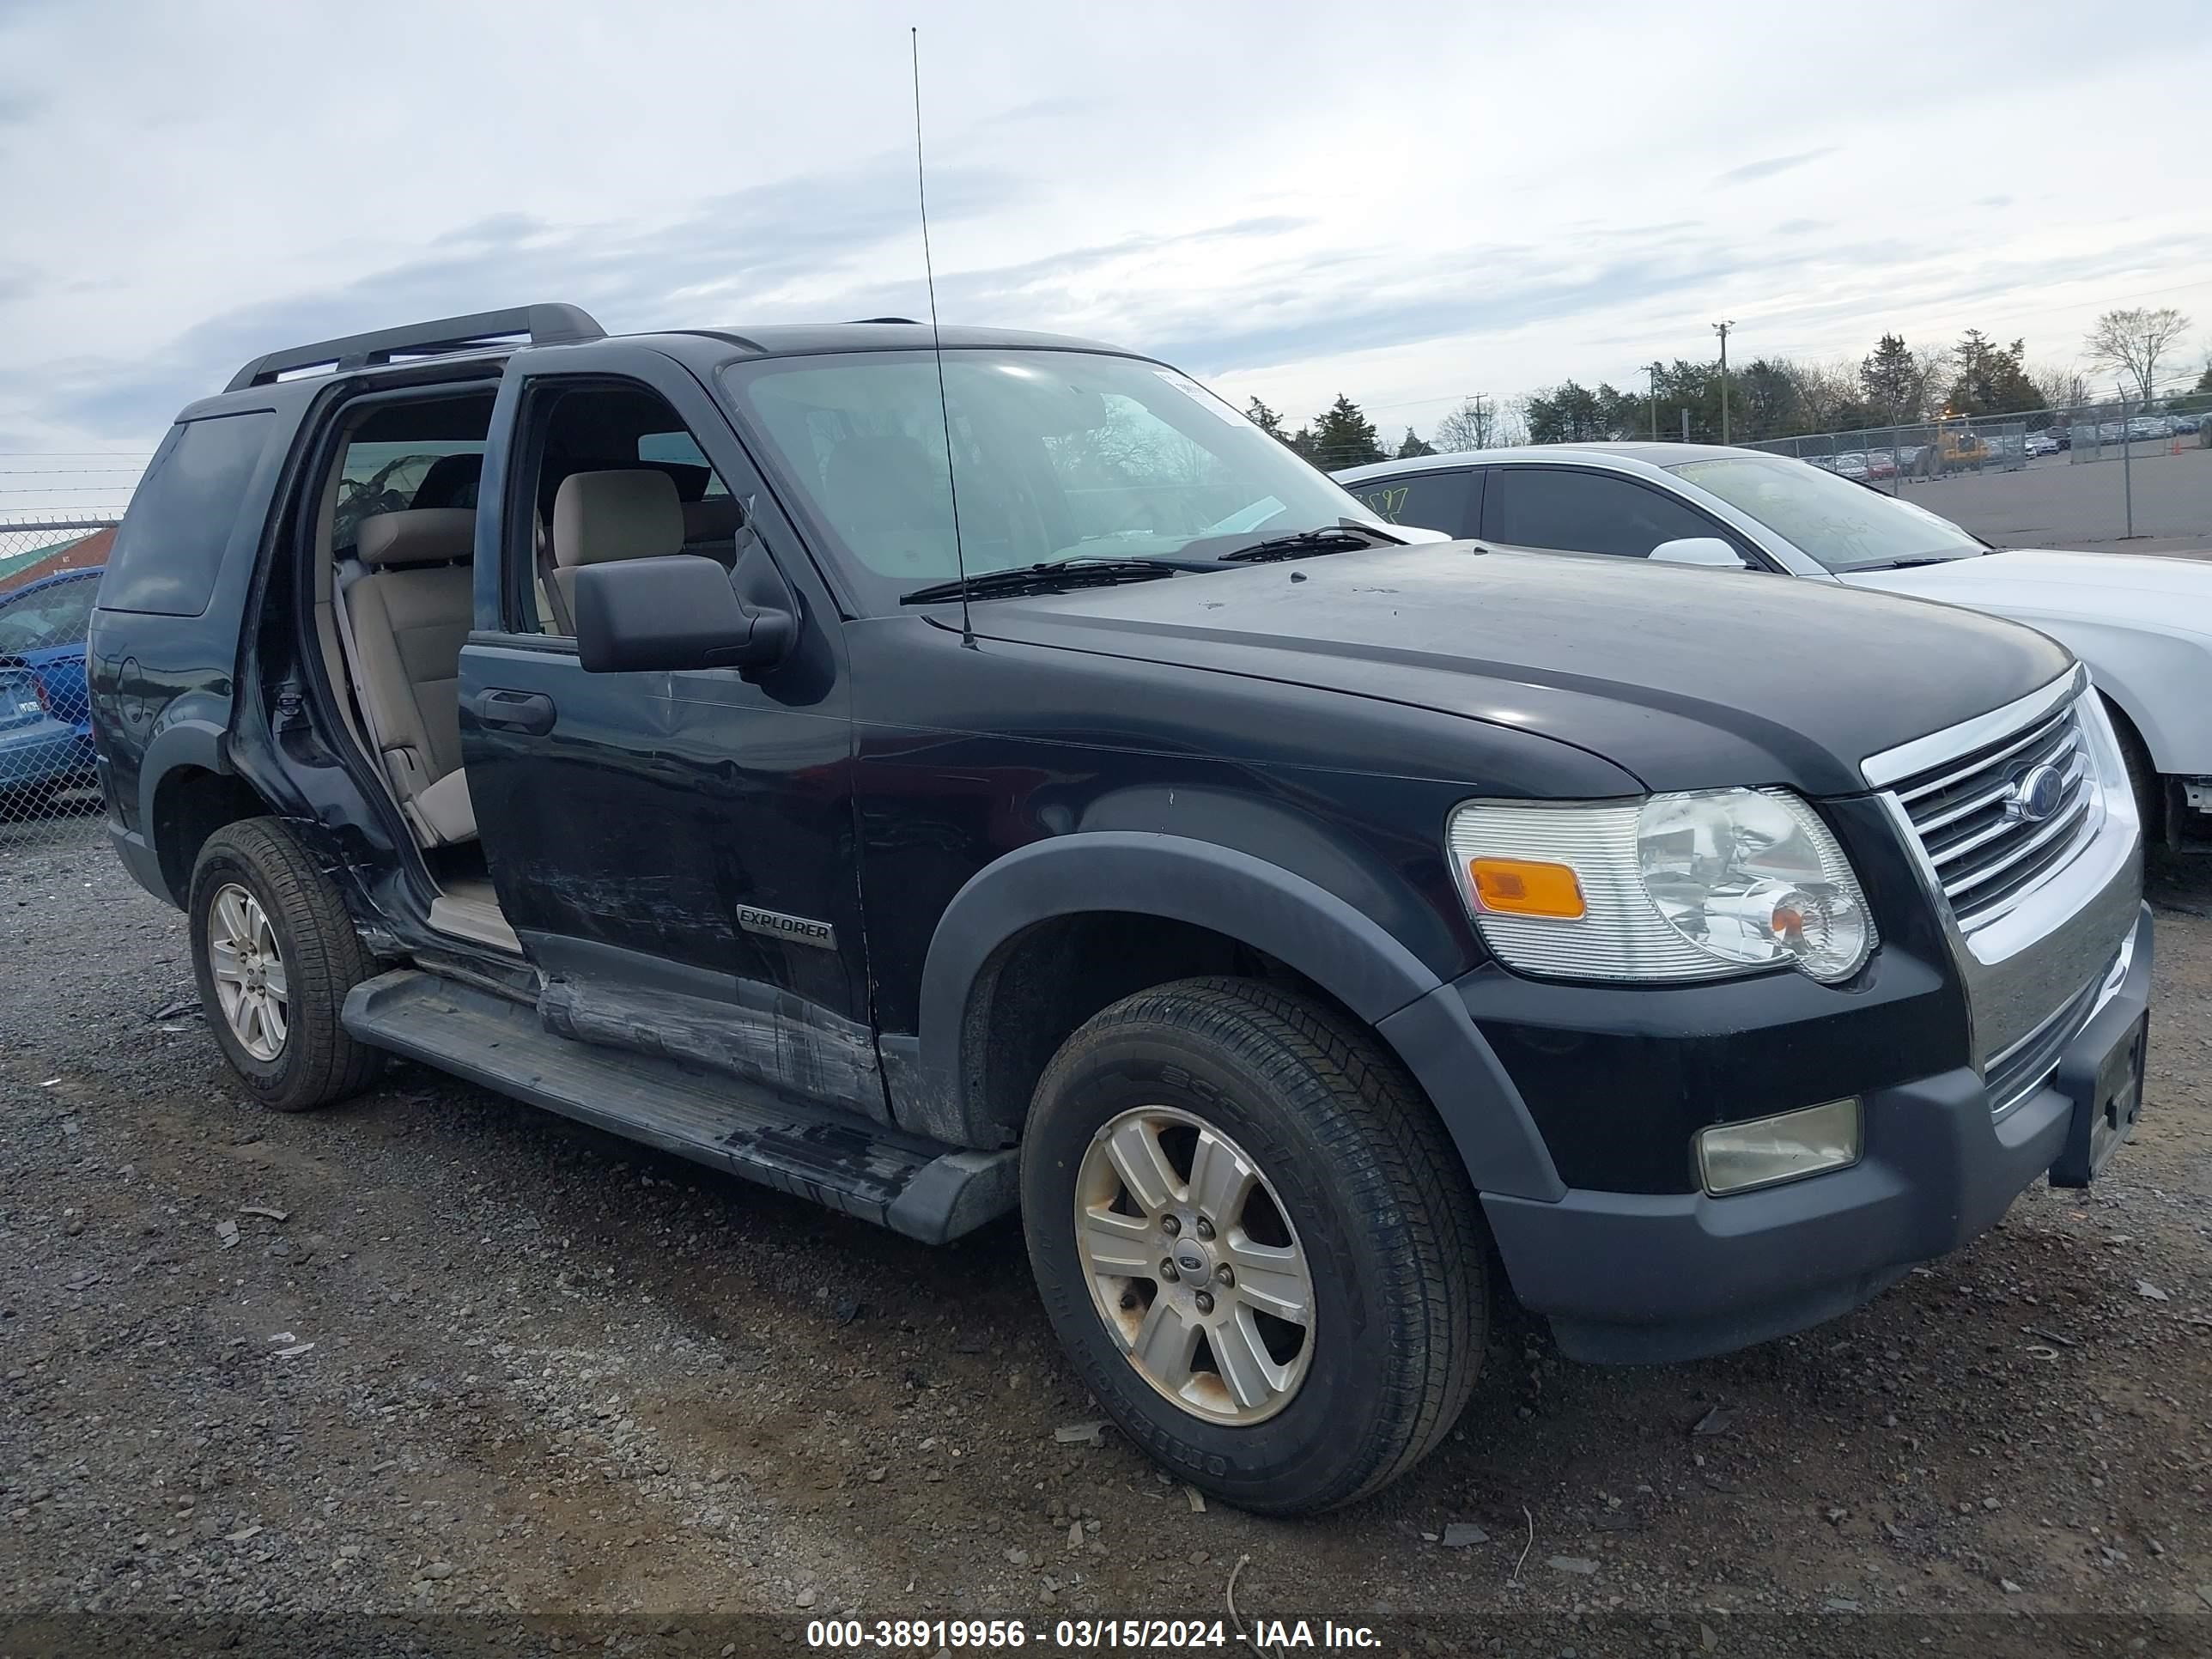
column 171, row 543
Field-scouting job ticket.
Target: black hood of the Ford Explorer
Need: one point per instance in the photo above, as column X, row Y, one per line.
column 1684, row 678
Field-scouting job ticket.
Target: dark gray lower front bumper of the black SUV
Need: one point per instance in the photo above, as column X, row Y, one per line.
column 1656, row 1277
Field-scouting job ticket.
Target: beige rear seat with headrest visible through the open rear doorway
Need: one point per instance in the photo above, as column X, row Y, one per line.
column 408, row 620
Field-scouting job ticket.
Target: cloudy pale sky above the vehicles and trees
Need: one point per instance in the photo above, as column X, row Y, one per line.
column 1284, row 200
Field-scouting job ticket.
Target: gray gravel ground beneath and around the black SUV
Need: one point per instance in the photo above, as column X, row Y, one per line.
column 432, row 1355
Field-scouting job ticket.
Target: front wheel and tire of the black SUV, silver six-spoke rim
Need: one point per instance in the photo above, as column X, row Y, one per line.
column 1339, row 1156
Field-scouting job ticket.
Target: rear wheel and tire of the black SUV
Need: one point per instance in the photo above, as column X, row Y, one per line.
column 255, row 881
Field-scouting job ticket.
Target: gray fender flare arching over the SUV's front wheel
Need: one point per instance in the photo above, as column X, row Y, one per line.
column 1269, row 908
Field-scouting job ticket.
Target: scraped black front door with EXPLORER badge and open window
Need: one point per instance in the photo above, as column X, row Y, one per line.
column 671, row 848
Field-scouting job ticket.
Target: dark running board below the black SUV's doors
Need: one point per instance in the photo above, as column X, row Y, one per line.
column 921, row 1189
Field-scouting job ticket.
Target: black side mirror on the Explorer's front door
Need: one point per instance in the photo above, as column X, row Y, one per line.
column 676, row 612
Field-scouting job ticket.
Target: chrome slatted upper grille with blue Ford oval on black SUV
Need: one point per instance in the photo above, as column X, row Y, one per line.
column 1965, row 815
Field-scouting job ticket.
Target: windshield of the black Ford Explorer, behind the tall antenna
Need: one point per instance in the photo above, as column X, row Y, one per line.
column 1056, row 457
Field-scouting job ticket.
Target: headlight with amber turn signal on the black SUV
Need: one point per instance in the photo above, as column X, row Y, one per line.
column 1673, row 888
